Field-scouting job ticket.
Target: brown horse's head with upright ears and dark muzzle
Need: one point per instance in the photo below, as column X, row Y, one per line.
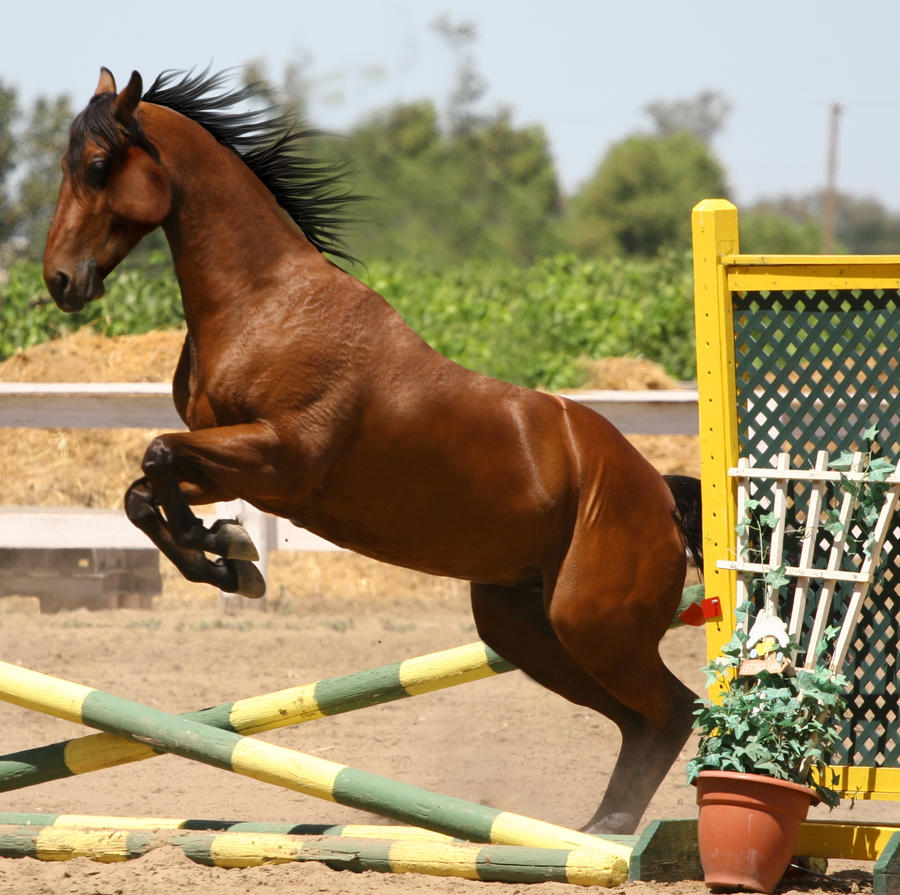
column 114, row 191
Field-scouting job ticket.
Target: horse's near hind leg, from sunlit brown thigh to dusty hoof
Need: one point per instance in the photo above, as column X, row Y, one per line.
column 610, row 616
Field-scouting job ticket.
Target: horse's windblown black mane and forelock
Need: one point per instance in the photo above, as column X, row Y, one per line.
column 265, row 136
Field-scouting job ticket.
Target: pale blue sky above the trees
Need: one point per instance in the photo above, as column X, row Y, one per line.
column 584, row 70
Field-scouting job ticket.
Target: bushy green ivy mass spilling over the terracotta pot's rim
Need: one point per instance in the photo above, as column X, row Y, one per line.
column 782, row 725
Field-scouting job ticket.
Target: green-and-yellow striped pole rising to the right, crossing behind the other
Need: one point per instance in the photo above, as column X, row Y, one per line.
column 295, row 705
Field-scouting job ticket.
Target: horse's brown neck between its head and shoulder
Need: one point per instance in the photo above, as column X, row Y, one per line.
column 228, row 236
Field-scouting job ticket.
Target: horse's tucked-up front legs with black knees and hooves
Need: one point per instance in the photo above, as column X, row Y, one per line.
column 202, row 467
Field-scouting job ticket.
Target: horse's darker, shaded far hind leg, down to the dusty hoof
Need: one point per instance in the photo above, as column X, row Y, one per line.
column 515, row 623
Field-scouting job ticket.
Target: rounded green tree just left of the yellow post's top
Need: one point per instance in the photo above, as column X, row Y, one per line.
column 639, row 200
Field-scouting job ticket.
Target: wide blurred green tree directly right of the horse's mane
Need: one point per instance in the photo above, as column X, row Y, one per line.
column 489, row 191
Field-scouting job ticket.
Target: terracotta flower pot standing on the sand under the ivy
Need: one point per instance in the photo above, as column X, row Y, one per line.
column 748, row 826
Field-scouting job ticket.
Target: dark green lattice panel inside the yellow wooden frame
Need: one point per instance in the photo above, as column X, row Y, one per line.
column 814, row 370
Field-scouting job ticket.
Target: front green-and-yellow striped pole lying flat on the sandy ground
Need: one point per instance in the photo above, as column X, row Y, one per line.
column 495, row 863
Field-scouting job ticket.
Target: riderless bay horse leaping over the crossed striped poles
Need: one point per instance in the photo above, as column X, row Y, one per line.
column 306, row 394
